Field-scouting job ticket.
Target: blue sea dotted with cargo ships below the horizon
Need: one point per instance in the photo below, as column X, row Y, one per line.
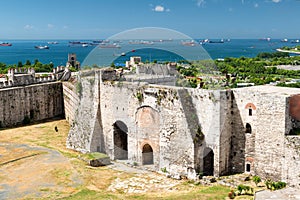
column 23, row 50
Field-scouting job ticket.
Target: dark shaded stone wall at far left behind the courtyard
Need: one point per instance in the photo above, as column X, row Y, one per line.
column 19, row 105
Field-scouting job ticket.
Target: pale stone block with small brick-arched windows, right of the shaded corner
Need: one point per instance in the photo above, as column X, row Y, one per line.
column 263, row 129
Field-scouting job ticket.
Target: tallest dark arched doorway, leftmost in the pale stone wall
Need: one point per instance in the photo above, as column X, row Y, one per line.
column 120, row 140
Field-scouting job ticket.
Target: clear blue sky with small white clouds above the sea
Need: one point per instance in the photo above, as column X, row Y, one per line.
column 98, row 19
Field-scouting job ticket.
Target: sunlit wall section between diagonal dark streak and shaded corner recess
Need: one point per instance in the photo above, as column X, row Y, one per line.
column 212, row 111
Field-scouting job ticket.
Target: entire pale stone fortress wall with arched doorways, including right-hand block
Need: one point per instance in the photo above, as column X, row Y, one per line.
column 188, row 131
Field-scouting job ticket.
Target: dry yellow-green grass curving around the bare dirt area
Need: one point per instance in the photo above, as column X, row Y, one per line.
column 95, row 180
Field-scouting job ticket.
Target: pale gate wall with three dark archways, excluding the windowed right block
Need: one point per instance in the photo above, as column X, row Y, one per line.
column 180, row 125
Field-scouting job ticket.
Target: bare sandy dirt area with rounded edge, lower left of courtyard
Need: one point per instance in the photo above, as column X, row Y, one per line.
column 34, row 172
